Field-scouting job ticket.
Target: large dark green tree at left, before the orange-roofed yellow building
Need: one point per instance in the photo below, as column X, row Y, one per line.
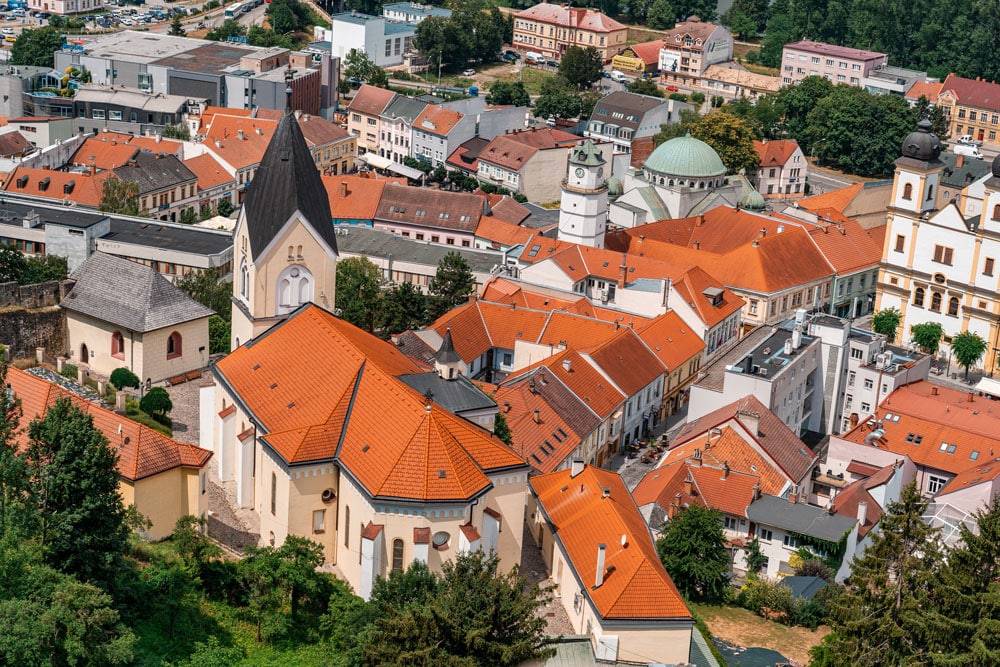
column 81, row 533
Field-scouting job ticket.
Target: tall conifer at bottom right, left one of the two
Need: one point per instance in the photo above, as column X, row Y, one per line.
column 881, row 616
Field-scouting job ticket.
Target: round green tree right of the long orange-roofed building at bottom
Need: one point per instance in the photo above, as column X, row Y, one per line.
column 693, row 551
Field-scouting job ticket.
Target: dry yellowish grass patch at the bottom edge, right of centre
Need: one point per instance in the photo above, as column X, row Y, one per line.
column 739, row 626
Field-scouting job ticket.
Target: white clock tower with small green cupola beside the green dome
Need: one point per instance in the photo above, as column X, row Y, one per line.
column 583, row 209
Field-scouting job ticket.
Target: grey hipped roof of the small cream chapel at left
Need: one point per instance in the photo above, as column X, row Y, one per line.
column 129, row 295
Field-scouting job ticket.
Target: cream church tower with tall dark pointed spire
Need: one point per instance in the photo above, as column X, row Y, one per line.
column 284, row 244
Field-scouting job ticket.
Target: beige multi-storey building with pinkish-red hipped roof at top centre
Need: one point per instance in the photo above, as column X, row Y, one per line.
column 550, row 29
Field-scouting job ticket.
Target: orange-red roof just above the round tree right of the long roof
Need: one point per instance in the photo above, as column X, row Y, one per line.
column 727, row 491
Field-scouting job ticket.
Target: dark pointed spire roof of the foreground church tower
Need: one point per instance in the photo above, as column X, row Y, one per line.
column 286, row 181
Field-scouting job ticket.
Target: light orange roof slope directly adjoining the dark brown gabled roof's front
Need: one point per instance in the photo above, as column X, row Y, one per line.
column 731, row 449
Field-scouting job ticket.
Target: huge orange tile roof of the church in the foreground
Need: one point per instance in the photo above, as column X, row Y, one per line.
column 379, row 429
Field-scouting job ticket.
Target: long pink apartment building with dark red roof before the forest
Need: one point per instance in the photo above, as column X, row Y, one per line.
column 839, row 64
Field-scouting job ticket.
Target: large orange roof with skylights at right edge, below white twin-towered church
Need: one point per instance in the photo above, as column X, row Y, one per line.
column 940, row 417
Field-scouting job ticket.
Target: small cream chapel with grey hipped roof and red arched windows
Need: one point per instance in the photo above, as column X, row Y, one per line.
column 123, row 314
